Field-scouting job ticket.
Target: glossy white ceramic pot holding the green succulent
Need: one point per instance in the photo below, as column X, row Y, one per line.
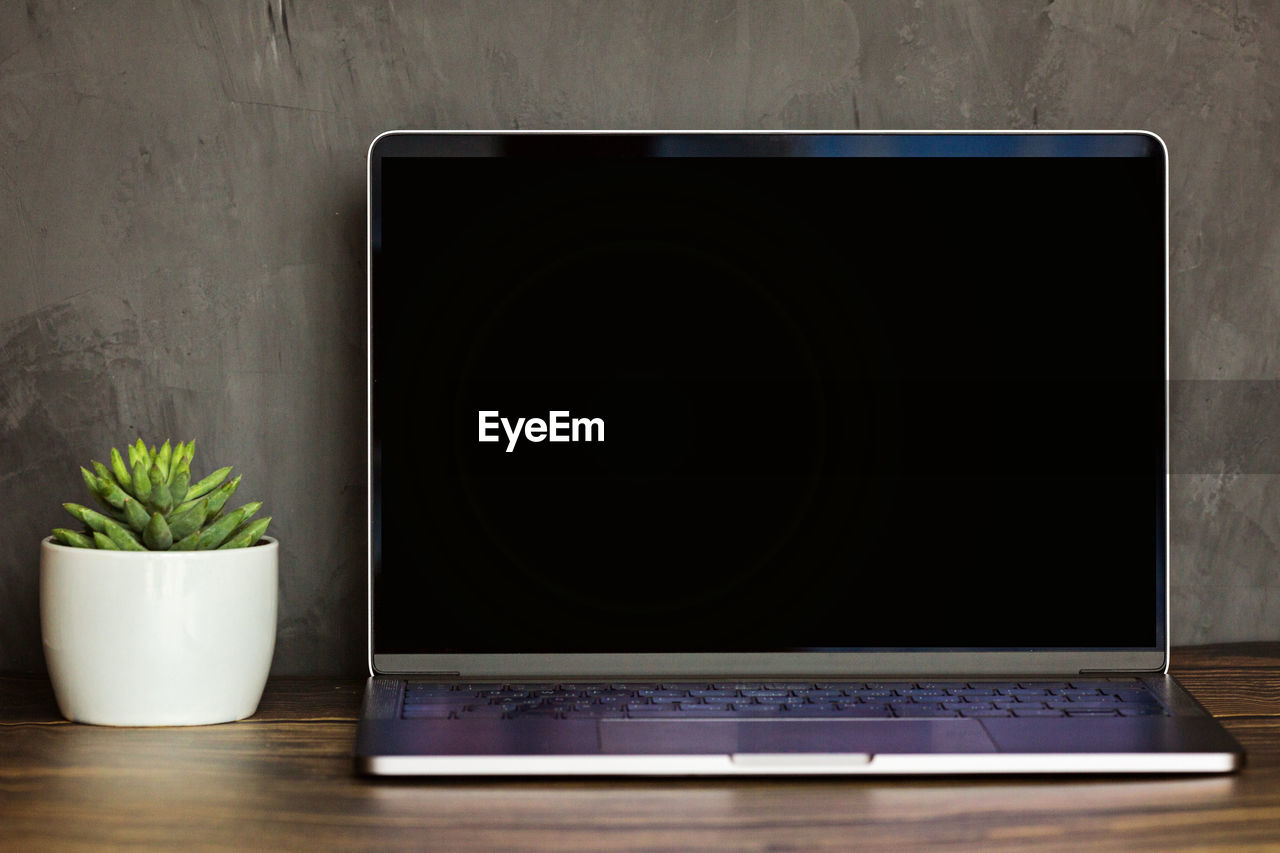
column 164, row 638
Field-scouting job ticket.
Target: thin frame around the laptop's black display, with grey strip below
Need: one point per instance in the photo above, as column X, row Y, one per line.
column 788, row 144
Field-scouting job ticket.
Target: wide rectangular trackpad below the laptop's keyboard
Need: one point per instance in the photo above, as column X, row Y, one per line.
column 703, row 737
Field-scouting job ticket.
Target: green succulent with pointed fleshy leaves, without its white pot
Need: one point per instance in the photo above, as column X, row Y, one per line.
column 153, row 505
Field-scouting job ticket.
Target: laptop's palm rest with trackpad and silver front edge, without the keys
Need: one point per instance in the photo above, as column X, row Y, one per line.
column 1190, row 742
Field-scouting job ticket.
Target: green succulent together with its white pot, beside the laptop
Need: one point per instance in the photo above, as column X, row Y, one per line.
column 161, row 609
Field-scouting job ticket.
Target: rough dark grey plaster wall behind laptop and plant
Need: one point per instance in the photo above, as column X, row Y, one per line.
column 182, row 226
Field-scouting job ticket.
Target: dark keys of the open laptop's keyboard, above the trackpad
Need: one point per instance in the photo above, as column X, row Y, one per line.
column 783, row 700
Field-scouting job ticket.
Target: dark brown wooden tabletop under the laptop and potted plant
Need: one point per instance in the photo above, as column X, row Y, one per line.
column 285, row 781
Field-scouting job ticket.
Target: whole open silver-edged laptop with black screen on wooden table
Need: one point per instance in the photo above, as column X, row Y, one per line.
column 758, row 454
